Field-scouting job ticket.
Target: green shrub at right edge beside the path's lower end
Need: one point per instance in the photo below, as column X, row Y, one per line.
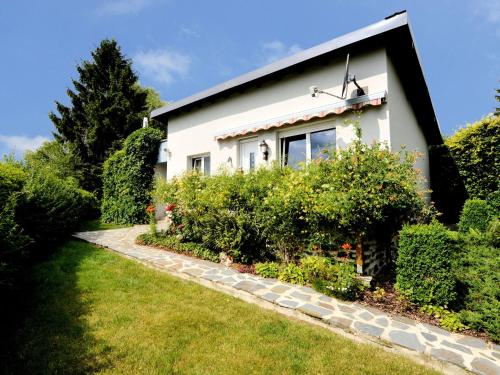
column 478, row 272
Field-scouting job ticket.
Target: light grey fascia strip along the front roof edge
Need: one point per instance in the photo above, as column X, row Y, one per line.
column 356, row 36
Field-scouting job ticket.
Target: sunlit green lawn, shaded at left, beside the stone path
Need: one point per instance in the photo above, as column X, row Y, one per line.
column 94, row 311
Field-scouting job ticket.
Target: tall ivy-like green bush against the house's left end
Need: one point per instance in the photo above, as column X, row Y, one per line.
column 128, row 178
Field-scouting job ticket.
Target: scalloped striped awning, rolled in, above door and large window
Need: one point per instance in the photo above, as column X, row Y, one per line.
column 337, row 108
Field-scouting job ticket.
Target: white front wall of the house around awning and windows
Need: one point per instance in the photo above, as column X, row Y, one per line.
column 192, row 133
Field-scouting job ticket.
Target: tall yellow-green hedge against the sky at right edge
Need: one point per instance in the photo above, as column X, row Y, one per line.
column 476, row 150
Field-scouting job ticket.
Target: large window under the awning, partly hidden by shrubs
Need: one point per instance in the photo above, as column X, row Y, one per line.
column 297, row 148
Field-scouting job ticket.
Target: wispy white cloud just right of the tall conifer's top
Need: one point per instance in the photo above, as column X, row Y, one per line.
column 163, row 65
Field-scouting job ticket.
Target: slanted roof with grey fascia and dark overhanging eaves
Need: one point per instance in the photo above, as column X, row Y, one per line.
column 394, row 32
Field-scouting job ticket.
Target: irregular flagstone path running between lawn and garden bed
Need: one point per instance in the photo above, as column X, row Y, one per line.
column 467, row 352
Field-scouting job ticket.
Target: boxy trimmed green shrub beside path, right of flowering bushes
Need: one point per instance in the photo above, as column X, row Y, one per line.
column 424, row 264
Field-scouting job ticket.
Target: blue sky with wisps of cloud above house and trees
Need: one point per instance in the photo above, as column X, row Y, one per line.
column 181, row 47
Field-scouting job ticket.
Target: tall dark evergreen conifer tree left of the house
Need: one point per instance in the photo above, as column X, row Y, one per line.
column 106, row 106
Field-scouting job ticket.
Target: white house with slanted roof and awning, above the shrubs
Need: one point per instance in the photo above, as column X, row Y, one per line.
column 269, row 114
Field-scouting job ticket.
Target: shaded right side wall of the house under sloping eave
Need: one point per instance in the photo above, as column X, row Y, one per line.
column 405, row 129
